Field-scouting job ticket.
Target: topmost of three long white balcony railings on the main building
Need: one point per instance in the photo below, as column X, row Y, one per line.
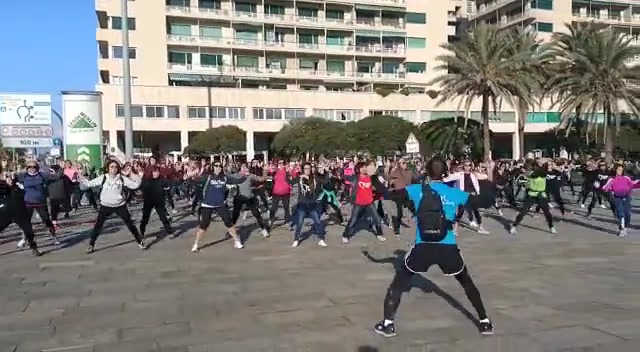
column 284, row 18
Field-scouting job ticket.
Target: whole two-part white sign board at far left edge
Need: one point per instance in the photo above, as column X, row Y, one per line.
column 26, row 120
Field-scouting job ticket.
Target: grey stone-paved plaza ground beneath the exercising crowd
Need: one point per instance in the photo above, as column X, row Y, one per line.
column 577, row 291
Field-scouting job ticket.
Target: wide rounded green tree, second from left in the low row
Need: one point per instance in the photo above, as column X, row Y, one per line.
column 312, row 135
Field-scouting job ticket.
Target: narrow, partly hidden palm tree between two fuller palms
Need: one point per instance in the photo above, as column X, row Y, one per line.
column 532, row 73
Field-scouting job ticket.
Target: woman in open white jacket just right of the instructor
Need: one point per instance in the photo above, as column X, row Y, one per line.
column 467, row 181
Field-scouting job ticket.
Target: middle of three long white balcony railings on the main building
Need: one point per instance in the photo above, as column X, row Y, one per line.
column 378, row 49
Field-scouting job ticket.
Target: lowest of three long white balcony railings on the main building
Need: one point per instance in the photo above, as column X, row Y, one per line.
column 292, row 73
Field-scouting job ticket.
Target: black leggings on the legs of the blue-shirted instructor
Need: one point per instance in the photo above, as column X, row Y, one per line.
column 402, row 282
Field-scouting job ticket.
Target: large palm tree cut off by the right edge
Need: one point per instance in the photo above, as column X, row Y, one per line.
column 592, row 75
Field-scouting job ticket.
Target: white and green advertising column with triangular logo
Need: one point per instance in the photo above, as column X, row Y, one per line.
column 82, row 119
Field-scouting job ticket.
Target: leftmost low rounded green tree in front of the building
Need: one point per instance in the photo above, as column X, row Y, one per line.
column 223, row 139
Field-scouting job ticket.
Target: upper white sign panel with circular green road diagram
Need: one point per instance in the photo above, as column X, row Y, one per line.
column 25, row 109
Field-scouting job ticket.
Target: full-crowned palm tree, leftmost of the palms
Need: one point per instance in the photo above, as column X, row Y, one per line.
column 483, row 65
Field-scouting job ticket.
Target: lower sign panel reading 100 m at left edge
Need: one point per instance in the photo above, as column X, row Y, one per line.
column 26, row 136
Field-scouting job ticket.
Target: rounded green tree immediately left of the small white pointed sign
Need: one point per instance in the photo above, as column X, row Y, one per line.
column 380, row 134
